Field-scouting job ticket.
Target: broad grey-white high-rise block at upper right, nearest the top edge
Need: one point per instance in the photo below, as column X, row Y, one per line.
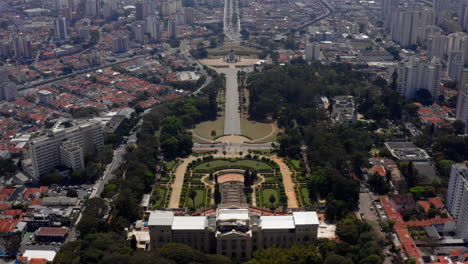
column 408, row 25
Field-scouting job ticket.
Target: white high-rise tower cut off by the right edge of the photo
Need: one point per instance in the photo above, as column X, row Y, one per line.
column 457, row 198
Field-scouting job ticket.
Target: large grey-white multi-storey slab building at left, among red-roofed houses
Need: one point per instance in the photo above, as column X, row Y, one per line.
column 65, row 144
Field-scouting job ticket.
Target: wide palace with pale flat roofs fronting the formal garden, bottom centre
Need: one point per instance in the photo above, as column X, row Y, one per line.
column 232, row 232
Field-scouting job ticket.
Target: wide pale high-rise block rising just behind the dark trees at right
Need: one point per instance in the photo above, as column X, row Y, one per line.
column 415, row 74
